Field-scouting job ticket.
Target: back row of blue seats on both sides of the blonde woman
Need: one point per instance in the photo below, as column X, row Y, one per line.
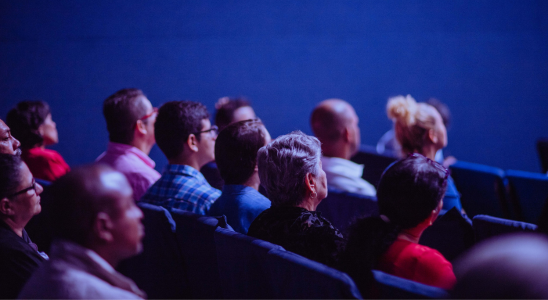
column 513, row 194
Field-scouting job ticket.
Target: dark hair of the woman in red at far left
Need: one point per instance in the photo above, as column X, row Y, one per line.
column 25, row 119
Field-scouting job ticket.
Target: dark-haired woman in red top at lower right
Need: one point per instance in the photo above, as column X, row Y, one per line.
column 410, row 197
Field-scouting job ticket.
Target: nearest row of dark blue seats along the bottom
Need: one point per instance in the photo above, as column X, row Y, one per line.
column 192, row 256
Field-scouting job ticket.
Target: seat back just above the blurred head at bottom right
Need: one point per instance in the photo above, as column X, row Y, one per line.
column 487, row 226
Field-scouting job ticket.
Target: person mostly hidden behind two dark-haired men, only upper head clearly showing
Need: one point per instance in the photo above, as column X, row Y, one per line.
column 229, row 110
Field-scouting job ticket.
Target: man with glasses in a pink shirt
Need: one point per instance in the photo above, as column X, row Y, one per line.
column 130, row 123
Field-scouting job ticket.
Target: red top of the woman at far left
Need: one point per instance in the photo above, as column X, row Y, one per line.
column 45, row 164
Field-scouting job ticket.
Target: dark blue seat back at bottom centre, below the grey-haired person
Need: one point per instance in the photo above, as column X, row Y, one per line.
column 295, row 277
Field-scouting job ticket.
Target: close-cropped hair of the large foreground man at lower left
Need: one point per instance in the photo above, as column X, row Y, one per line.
column 75, row 200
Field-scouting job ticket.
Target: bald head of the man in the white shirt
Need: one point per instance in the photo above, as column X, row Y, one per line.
column 335, row 123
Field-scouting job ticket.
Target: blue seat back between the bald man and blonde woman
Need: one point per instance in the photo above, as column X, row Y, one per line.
column 374, row 163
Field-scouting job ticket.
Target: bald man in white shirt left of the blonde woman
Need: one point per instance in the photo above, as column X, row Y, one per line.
column 335, row 124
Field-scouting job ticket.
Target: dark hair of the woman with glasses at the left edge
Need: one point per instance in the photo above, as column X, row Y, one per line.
column 10, row 174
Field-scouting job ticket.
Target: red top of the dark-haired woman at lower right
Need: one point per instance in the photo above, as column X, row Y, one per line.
column 418, row 263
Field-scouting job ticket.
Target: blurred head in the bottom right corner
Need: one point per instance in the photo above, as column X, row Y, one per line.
column 505, row 267
